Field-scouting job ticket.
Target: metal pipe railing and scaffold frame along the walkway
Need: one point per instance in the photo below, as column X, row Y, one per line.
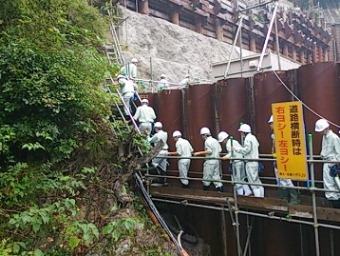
column 235, row 211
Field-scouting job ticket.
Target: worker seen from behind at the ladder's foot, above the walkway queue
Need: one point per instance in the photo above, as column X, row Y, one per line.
column 145, row 115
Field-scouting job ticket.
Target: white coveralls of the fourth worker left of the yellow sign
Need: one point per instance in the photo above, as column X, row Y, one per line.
column 183, row 149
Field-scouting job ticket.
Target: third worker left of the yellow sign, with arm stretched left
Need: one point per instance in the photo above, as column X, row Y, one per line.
column 211, row 167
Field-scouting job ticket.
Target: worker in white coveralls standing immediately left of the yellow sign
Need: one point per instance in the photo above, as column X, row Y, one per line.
column 250, row 150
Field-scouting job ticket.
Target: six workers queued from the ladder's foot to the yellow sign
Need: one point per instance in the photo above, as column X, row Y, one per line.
column 241, row 169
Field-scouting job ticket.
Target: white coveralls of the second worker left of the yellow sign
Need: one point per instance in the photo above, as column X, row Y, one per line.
column 239, row 173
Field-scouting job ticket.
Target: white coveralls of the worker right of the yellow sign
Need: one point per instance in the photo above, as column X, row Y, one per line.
column 330, row 151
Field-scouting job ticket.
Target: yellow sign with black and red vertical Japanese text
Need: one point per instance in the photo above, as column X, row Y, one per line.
column 290, row 143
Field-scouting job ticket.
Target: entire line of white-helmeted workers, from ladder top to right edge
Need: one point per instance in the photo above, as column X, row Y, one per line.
column 242, row 170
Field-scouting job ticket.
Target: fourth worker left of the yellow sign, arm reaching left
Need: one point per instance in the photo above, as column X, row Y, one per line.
column 183, row 149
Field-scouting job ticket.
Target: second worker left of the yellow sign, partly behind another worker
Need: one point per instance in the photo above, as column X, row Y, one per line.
column 239, row 173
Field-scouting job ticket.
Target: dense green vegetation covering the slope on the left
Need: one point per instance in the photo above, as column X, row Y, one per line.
column 64, row 165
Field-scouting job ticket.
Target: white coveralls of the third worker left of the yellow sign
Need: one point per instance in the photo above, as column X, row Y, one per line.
column 211, row 167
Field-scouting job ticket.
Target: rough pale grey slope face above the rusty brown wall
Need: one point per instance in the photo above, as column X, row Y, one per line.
column 172, row 50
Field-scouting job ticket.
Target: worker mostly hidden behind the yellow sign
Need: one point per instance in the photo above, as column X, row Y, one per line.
column 286, row 186
